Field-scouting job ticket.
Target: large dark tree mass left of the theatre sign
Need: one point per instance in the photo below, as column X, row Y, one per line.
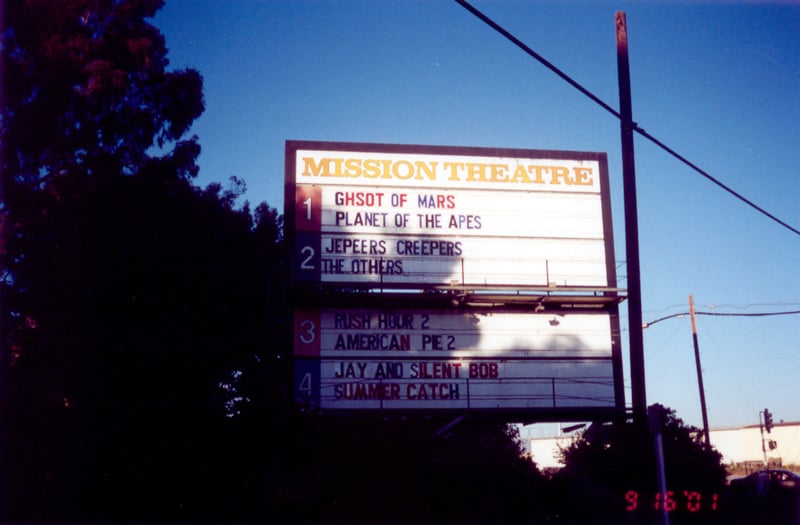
column 135, row 305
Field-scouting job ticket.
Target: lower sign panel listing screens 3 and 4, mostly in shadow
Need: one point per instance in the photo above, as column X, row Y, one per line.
column 355, row 359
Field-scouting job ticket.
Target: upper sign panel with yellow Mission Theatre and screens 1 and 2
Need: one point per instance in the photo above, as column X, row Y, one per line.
column 411, row 216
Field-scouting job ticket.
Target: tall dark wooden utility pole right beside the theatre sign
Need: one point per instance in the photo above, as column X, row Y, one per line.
column 638, row 390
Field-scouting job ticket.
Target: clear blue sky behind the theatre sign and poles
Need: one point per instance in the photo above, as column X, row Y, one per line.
column 718, row 82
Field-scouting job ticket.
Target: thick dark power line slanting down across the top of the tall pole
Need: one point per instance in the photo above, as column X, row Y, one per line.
column 517, row 42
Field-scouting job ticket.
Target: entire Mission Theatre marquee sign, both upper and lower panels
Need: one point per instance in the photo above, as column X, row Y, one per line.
column 452, row 279
